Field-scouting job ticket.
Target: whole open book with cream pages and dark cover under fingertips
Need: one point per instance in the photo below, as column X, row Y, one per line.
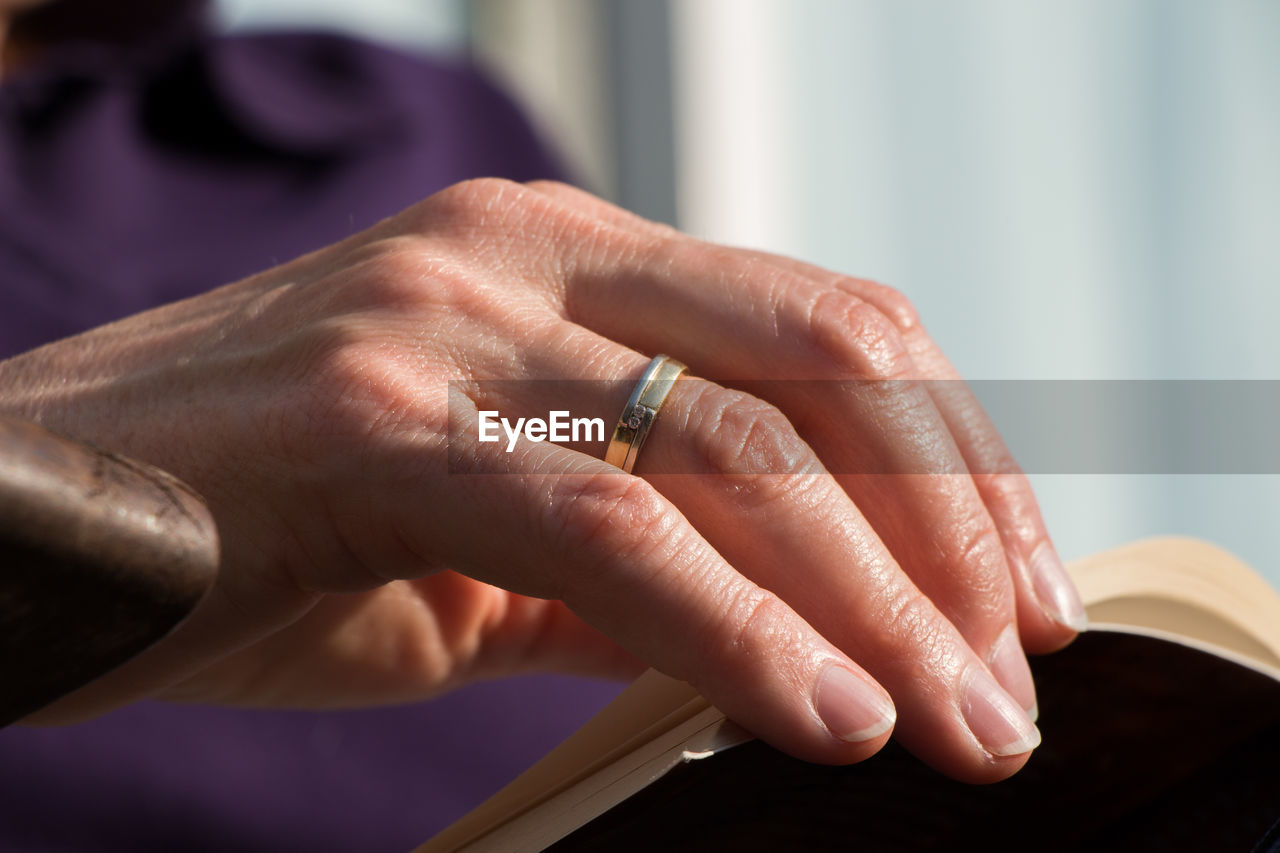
column 1162, row 729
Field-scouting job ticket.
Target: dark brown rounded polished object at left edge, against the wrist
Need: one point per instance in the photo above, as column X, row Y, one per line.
column 99, row 559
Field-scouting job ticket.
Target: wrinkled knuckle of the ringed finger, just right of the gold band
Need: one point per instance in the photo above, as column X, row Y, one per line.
column 744, row 435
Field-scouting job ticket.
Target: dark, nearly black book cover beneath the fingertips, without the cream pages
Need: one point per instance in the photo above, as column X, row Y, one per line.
column 1149, row 746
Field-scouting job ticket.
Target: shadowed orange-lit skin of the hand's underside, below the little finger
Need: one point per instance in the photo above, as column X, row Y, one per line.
column 404, row 642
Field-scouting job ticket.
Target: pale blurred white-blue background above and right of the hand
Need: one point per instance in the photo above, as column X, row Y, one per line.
column 1076, row 190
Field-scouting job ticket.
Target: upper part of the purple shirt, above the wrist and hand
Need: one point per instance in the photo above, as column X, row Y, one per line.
column 134, row 179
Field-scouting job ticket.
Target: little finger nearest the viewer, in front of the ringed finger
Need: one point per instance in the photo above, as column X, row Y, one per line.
column 554, row 523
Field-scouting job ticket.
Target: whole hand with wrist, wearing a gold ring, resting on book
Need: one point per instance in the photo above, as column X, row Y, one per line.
column 312, row 407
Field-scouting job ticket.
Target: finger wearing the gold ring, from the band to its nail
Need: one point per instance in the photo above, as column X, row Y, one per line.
column 811, row 548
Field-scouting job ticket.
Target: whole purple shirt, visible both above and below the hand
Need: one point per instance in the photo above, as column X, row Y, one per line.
column 130, row 179
